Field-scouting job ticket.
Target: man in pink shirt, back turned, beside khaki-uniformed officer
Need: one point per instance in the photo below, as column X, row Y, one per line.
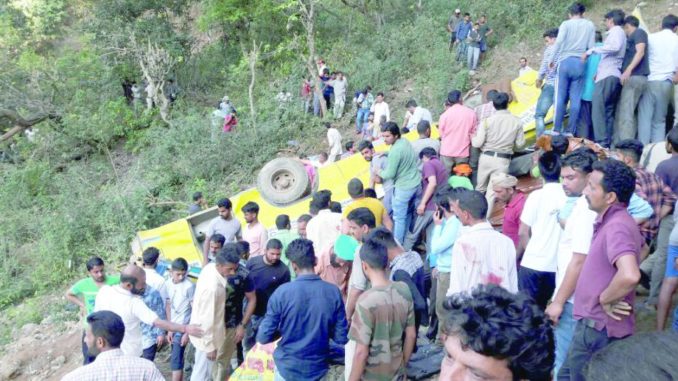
column 456, row 127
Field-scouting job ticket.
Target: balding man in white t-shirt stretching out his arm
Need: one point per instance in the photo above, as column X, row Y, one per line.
column 125, row 300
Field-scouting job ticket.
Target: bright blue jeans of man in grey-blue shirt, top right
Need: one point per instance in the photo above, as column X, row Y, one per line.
column 569, row 86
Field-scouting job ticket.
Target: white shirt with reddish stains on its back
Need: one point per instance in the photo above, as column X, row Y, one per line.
column 482, row 255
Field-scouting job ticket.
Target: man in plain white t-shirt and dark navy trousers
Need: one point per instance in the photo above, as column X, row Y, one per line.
column 539, row 233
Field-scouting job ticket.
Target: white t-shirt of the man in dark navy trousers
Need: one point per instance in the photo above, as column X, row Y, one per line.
column 540, row 213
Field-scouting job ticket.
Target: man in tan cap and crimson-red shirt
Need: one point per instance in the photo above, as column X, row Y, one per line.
column 504, row 188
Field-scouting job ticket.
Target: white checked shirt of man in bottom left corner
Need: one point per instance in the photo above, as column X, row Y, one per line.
column 113, row 365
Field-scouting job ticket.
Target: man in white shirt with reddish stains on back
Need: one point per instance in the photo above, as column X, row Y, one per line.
column 480, row 255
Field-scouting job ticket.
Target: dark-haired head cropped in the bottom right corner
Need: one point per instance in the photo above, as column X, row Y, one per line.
column 643, row 356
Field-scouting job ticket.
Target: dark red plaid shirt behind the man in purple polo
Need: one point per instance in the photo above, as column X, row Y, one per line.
column 652, row 189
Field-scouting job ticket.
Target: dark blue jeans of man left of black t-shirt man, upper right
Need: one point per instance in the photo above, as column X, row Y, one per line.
column 605, row 96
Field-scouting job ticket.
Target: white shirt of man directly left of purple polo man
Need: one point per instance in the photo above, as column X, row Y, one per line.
column 576, row 238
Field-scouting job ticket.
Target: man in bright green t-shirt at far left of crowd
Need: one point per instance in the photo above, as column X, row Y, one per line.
column 84, row 293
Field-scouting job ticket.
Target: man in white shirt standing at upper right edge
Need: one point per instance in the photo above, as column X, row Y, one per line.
column 654, row 103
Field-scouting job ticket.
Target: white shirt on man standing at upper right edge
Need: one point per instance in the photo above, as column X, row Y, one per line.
column 663, row 55
